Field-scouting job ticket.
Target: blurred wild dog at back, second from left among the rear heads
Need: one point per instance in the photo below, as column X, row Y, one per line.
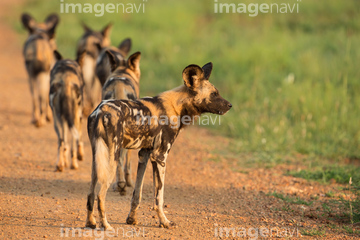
column 92, row 42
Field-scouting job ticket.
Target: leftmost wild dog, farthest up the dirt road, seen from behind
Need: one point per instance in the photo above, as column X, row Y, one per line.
column 39, row 59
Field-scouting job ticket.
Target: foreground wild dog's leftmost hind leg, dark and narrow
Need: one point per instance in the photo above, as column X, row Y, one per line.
column 90, row 219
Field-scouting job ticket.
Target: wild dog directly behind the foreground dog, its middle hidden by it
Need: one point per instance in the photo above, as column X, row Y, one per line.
column 123, row 83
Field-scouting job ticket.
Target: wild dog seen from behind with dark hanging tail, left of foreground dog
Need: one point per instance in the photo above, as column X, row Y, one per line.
column 66, row 101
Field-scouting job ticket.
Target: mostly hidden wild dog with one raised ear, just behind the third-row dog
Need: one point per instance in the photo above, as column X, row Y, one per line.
column 103, row 67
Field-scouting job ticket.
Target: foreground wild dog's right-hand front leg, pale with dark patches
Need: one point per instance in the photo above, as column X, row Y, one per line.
column 159, row 181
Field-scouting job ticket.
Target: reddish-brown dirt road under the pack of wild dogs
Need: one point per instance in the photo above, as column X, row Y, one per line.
column 203, row 197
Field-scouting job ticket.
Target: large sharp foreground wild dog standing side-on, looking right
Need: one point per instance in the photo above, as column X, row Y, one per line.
column 117, row 124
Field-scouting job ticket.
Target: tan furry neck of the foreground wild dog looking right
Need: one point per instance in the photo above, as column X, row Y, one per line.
column 179, row 102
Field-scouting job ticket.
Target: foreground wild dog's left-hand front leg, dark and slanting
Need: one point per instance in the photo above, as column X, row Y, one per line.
column 136, row 198
